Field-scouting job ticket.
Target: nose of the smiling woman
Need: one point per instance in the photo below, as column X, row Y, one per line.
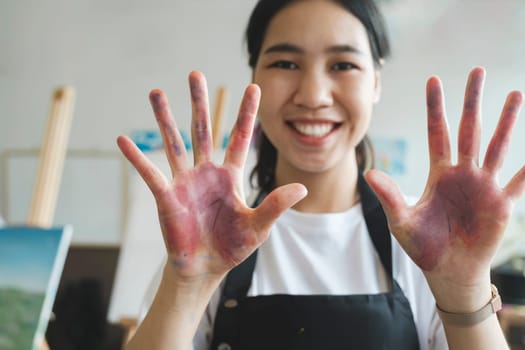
column 314, row 90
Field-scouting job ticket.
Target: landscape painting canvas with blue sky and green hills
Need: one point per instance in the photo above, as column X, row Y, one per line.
column 31, row 264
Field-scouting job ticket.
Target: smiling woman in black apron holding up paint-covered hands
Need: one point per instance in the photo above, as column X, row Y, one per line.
column 325, row 273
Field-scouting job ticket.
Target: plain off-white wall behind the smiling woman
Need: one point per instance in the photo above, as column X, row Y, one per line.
column 115, row 51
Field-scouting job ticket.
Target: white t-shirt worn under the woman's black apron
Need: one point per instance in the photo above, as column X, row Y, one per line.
column 332, row 254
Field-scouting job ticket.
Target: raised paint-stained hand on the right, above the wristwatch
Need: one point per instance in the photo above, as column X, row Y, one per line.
column 454, row 230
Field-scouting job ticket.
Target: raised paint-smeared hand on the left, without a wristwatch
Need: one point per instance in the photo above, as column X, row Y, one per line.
column 207, row 227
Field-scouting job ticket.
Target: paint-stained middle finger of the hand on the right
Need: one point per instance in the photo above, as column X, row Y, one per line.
column 470, row 124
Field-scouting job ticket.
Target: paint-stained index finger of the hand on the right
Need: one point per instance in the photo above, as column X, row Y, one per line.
column 437, row 127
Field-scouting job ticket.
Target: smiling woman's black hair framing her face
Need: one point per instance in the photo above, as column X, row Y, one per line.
column 369, row 15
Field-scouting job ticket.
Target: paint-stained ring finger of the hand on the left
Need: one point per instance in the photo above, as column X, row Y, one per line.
column 171, row 138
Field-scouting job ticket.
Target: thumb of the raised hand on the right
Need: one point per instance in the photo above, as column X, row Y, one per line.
column 390, row 196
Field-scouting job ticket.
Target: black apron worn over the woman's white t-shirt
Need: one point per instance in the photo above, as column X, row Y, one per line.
column 288, row 322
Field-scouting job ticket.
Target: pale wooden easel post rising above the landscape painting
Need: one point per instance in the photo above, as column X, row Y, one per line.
column 51, row 162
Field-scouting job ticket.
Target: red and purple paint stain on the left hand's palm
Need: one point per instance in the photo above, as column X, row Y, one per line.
column 207, row 219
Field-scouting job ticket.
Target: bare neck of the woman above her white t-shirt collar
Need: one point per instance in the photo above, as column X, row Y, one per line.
column 334, row 190
